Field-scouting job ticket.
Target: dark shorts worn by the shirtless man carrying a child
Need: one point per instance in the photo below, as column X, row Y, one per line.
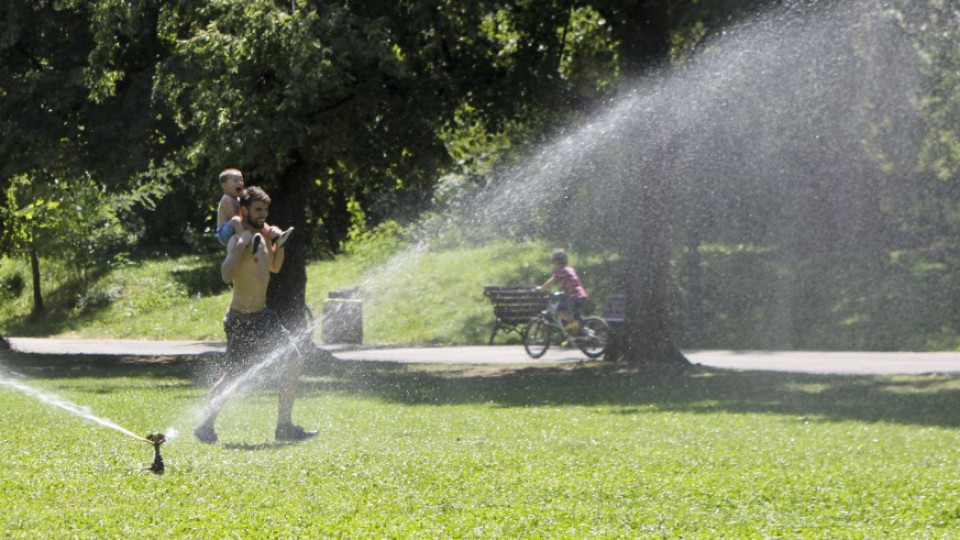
column 252, row 337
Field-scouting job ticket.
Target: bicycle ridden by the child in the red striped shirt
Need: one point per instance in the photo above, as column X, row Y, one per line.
column 539, row 333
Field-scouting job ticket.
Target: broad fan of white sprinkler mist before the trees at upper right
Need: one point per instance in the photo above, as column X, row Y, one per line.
column 791, row 100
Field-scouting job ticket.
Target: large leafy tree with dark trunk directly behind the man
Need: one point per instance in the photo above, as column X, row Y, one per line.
column 313, row 102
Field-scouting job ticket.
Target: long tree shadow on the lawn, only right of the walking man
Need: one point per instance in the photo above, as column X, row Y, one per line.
column 905, row 399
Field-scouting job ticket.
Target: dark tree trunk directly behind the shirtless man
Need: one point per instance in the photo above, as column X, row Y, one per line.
column 287, row 291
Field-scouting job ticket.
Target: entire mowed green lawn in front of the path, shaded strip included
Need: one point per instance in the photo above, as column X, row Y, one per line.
column 412, row 451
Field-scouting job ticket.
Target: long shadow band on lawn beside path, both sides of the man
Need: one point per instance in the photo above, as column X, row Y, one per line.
column 929, row 400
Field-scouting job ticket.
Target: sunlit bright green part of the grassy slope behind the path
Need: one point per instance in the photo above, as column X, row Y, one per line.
column 434, row 297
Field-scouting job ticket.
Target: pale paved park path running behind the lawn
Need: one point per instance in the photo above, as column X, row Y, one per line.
column 862, row 363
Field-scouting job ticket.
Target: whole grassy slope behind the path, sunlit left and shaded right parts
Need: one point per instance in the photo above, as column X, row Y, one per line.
column 749, row 300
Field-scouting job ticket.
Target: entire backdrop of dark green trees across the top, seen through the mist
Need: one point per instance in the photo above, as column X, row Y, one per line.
column 816, row 130
